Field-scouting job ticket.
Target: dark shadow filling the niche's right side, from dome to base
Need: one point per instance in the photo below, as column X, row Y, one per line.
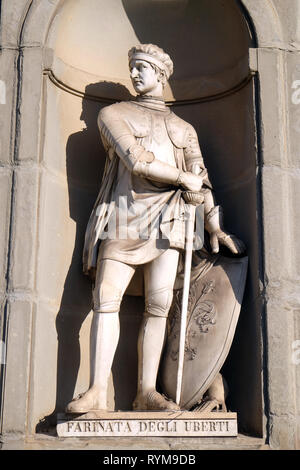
column 215, row 47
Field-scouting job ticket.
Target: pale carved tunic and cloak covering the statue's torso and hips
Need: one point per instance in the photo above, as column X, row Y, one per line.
column 154, row 127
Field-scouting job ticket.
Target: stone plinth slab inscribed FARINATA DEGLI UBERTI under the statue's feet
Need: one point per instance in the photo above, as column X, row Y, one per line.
column 148, row 424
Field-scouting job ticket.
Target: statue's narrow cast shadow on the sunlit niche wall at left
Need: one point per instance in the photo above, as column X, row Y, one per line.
column 85, row 158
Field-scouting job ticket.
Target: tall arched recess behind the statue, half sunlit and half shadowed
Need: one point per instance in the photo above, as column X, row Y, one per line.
column 87, row 69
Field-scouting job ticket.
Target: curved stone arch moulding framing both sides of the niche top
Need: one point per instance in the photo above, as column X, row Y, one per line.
column 33, row 20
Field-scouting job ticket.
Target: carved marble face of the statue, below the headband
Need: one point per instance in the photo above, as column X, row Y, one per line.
column 145, row 79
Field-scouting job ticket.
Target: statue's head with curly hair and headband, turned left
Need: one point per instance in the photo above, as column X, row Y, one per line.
column 150, row 68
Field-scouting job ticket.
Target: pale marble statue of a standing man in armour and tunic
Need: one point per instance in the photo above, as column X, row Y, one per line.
column 152, row 156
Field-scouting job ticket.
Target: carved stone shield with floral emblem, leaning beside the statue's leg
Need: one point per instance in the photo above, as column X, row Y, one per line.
column 213, row 311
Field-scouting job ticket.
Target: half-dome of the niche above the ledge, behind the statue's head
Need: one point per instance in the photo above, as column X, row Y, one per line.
column 87, row 49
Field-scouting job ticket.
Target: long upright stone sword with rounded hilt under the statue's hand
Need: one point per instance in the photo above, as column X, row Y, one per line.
column 193, row 200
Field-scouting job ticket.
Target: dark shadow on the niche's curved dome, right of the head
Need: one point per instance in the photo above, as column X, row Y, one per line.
column 207, row 39
